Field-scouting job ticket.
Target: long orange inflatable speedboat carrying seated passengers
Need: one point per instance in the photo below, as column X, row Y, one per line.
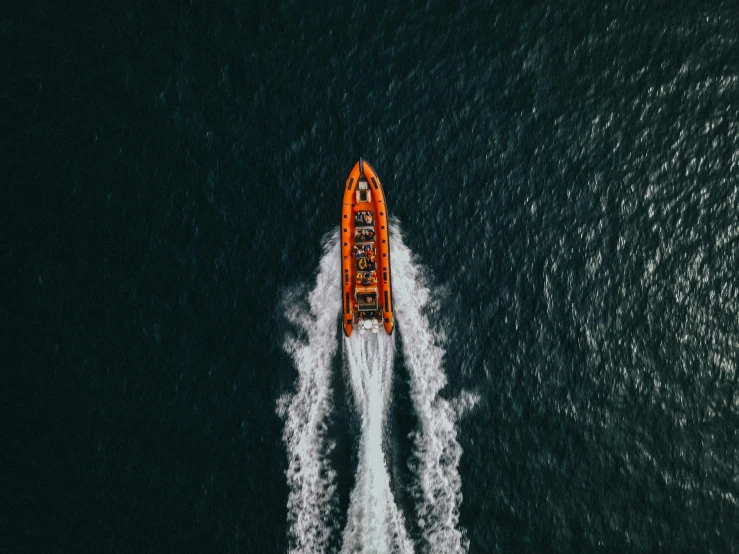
column 365, row 254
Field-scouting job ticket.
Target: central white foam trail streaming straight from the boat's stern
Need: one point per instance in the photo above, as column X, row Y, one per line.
column 374, row 523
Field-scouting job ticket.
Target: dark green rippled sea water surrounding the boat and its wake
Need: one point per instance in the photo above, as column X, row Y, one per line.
column 567, row 175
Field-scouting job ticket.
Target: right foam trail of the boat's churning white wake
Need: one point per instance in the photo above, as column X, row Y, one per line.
column 436, row 450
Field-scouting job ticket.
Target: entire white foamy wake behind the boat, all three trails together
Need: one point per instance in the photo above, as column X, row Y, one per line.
column 374, row 523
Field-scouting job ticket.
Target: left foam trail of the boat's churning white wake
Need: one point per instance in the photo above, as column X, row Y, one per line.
column 312, row 501
